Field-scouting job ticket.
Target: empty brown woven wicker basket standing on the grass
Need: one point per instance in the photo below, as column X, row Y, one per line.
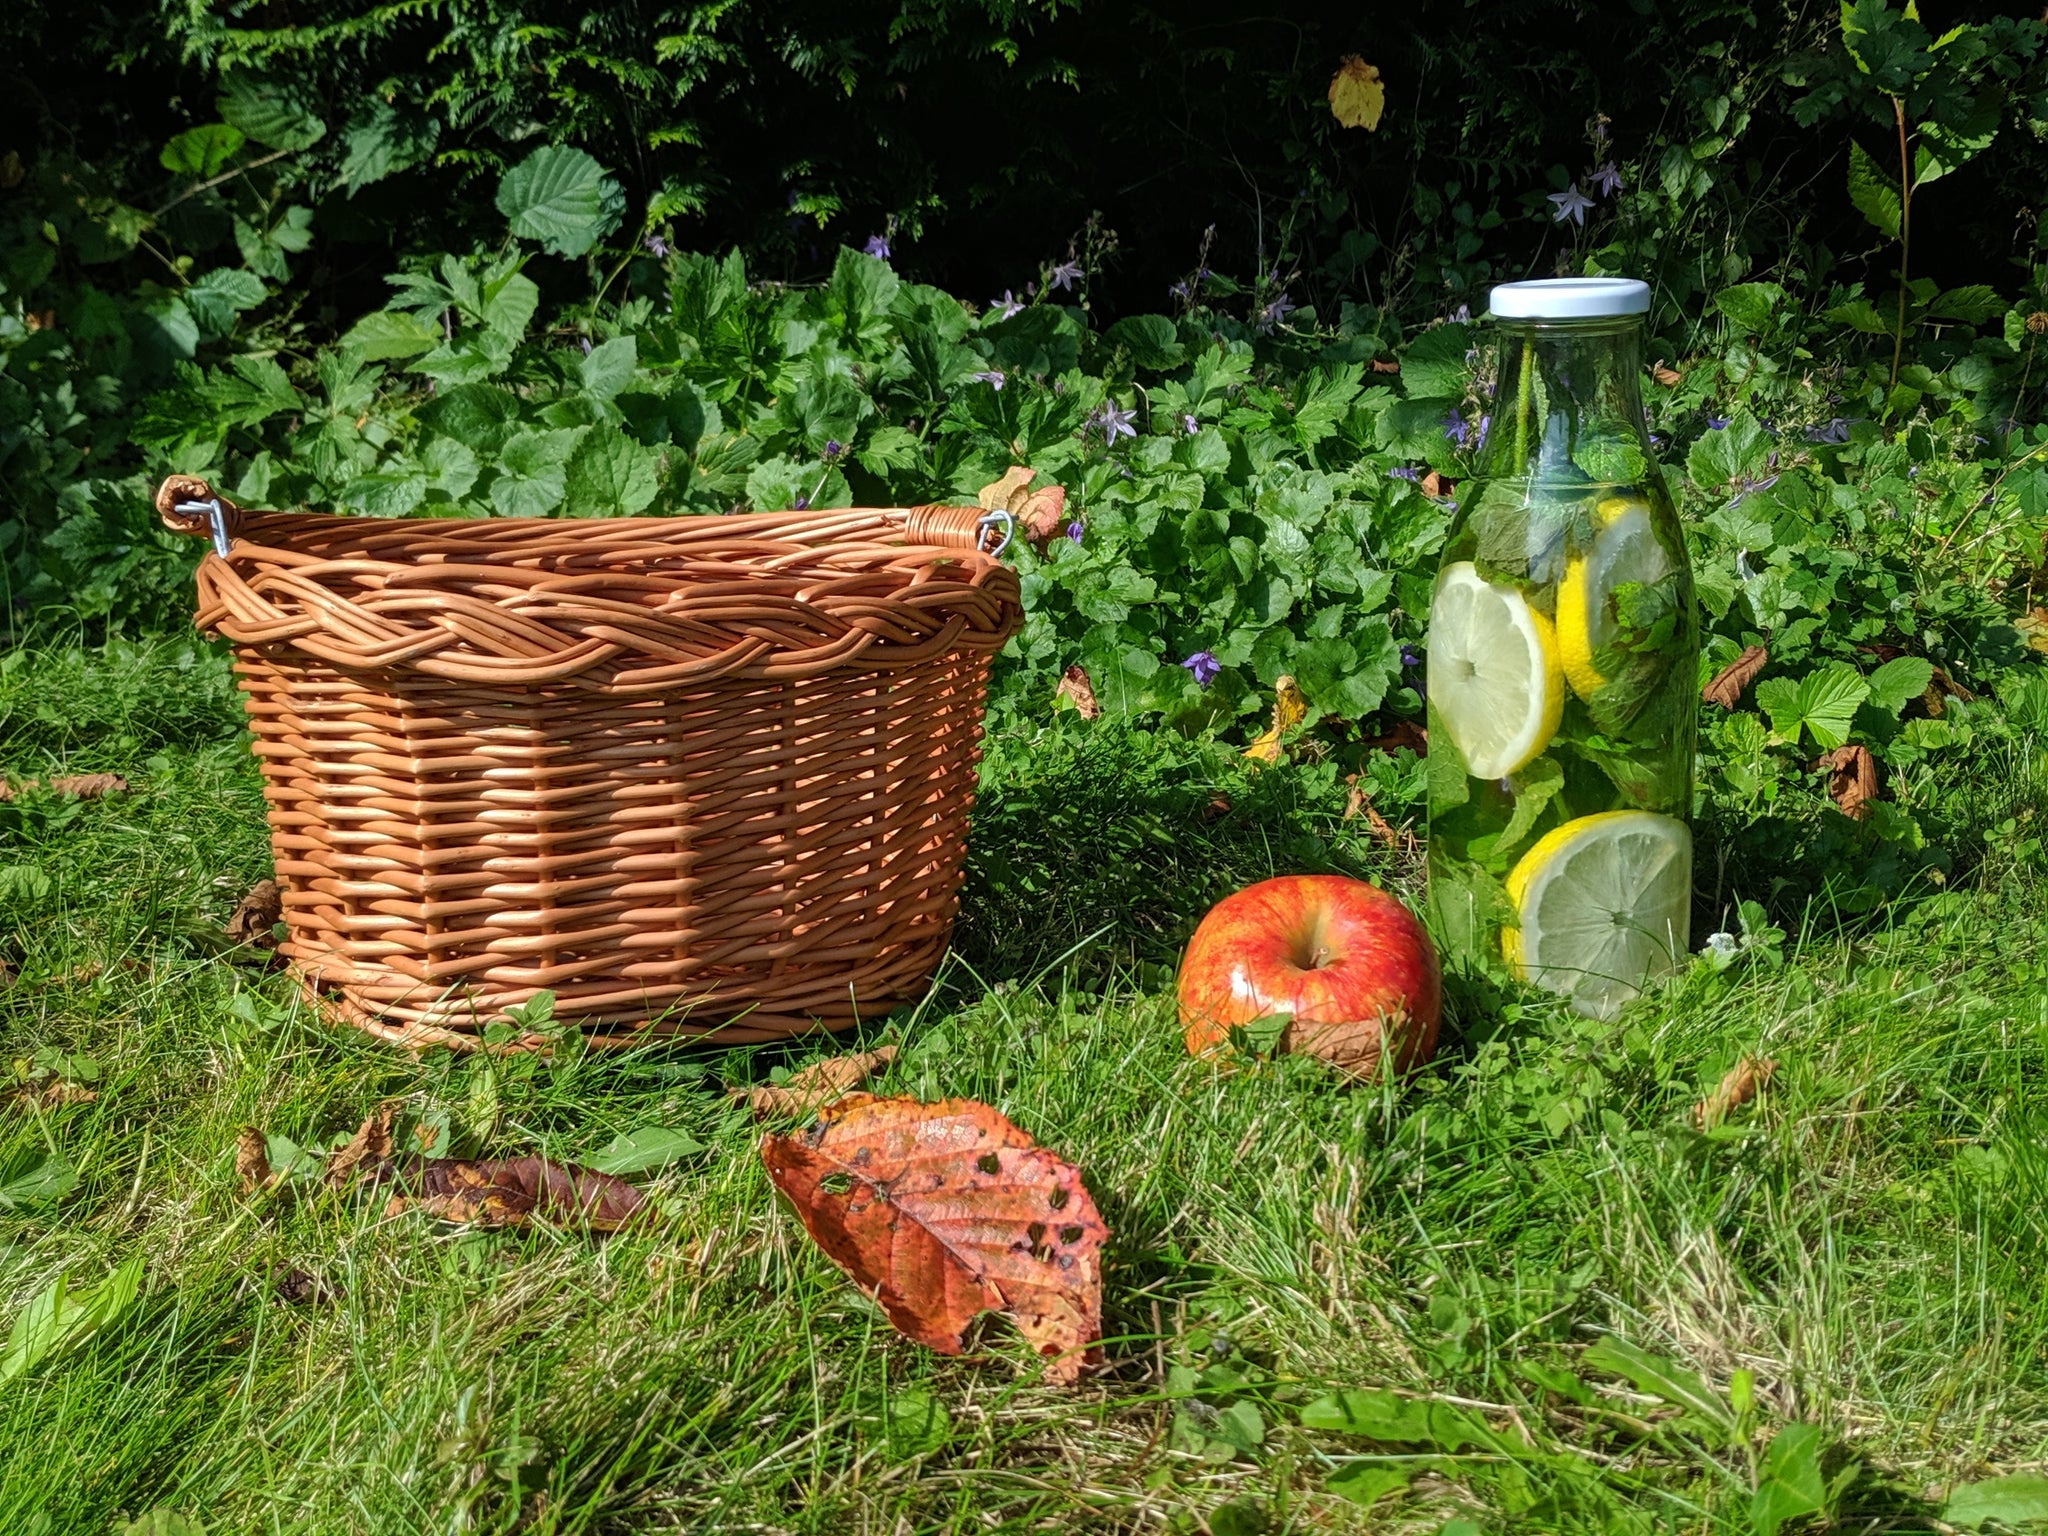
column 691, row 775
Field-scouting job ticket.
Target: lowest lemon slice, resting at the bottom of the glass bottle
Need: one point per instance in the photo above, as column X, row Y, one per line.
column 1605, row 906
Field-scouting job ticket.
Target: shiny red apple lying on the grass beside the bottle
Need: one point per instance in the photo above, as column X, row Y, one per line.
column 1345, row 959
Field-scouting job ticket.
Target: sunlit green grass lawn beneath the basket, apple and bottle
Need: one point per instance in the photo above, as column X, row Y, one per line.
column 1867, row 1242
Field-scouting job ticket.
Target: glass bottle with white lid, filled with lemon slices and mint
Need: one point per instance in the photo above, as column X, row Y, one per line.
column 1564, row 669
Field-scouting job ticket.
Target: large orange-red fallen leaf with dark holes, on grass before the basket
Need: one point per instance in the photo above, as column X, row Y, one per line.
column 947, row 1211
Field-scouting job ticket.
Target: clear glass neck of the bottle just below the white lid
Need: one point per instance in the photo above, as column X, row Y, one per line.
column 1568, row 402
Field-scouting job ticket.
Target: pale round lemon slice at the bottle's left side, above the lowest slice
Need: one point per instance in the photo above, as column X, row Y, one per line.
column 1494, row 673
